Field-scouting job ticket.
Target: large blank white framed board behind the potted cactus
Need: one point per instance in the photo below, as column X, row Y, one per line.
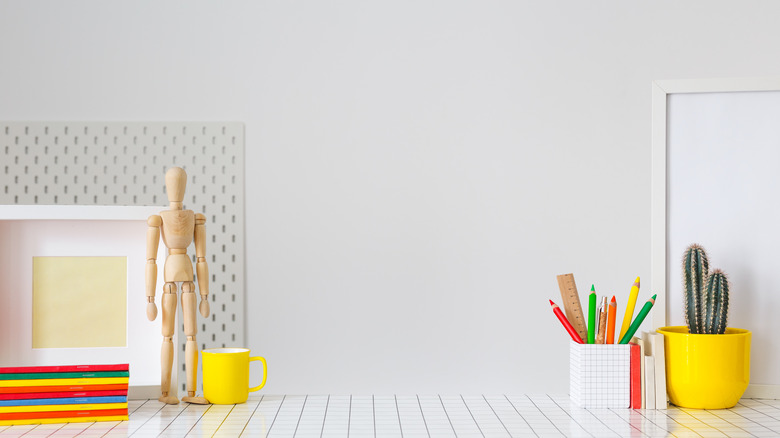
column 716, row 148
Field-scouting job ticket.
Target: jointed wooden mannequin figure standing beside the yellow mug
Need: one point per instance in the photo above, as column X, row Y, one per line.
column 179, row 228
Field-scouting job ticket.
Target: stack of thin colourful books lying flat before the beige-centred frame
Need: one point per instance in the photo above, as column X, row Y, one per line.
column 63, row 394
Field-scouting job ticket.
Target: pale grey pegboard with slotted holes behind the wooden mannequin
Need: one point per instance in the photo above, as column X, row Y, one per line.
column 124, row 163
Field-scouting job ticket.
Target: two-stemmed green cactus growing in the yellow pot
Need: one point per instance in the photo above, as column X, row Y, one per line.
column 706, row 294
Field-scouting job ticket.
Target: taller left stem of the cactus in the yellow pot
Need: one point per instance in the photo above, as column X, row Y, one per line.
column 695, row 269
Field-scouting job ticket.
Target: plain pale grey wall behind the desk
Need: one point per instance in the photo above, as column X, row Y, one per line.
column 417, row 171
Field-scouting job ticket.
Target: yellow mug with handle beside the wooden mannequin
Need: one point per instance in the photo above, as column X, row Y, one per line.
column 226, row 375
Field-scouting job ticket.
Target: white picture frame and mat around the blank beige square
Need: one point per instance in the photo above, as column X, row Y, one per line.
column 33, row 231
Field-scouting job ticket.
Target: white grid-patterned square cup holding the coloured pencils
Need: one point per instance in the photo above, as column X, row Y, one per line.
column 599, row 375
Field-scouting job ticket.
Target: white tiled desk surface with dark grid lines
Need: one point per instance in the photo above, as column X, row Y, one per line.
column 419, row 416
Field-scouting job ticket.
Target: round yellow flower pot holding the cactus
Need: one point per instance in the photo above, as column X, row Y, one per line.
column 706, row 371
